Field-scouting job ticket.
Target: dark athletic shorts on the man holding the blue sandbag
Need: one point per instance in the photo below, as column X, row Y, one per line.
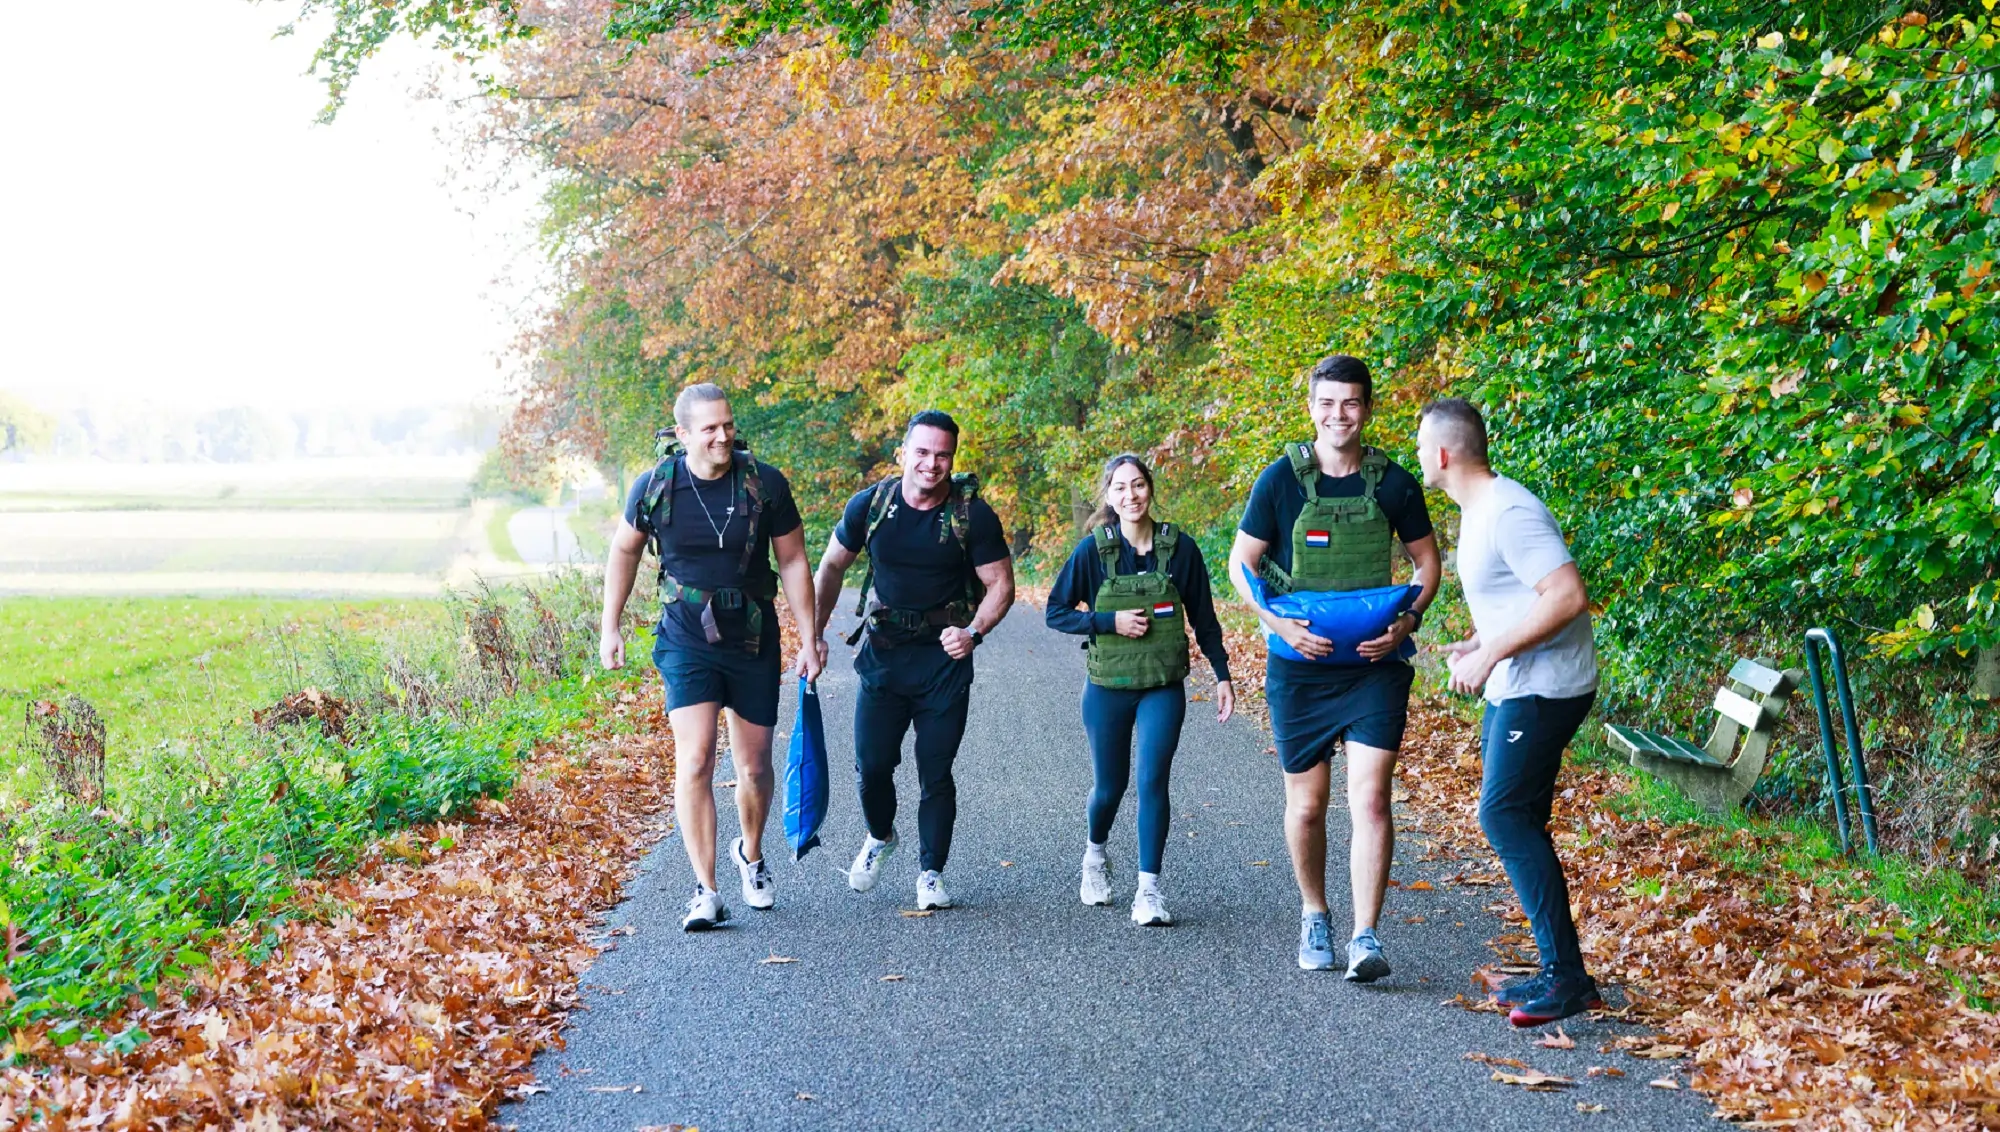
column 1313, row 707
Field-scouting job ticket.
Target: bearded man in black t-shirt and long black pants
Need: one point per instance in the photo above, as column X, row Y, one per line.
column 927, row 537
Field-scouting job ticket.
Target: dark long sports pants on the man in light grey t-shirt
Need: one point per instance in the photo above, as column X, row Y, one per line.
column 1523, row 743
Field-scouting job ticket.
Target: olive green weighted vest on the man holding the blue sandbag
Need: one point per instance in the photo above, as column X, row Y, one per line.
column 1337, row 543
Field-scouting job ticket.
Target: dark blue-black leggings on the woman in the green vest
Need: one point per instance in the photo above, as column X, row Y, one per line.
column 1111, row 719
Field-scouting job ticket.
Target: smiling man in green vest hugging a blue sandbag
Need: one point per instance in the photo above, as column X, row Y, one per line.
column 1337, row 543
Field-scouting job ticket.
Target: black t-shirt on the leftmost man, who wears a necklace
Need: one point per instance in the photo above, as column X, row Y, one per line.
column 709, row 513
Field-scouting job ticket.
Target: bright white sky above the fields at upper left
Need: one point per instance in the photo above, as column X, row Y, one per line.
column 175, row 229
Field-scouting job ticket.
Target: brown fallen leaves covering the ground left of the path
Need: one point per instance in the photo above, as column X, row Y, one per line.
column 407, row 995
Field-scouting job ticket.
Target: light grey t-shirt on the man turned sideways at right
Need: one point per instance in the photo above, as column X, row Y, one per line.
column 1507, row 545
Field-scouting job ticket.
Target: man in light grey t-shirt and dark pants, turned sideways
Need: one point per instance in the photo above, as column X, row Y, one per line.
column 1533, row 657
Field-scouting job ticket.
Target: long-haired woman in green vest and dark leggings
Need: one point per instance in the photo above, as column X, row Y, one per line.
column 1137, row 613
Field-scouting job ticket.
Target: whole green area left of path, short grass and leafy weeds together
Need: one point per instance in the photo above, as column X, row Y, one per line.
column 219, row 821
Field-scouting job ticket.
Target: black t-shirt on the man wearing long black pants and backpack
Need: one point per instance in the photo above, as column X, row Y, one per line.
column 915, row 567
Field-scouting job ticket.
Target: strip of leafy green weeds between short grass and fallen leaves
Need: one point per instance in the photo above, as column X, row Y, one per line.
column 113, row 911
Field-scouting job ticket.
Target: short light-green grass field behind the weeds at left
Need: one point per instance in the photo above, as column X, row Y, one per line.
column 159, row 669
